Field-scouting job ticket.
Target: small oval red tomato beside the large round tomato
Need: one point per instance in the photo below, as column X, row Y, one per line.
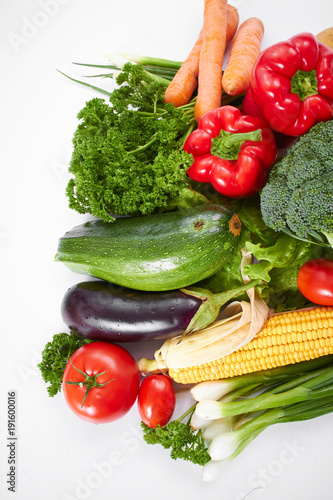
column 156, row 400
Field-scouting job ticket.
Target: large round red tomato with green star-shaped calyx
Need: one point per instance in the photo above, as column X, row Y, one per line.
column 101, row 382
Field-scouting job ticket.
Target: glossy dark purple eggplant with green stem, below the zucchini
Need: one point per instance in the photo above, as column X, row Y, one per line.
column 99, row 310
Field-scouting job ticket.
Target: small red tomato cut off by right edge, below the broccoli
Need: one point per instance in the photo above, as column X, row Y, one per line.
column 315, row 281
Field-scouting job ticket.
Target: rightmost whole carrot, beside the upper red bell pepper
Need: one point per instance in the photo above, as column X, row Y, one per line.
column 244, row 52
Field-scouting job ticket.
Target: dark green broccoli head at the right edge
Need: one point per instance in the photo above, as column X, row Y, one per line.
column 298, row 196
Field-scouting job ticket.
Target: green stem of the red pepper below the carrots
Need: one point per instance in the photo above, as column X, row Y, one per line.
column 227, row 145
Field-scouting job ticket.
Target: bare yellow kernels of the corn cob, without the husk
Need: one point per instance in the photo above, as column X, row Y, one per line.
column 286, row 338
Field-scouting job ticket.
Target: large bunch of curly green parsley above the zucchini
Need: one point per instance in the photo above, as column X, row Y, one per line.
column 128, row 155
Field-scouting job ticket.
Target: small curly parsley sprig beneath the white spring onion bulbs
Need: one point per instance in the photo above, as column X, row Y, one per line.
column 178, row 436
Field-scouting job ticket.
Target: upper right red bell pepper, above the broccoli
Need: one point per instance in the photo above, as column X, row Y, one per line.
column 292, row 84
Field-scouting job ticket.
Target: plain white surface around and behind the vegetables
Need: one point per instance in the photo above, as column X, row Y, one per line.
column 60, row 457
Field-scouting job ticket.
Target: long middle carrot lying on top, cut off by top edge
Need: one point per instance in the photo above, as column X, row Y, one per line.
column 211, row 57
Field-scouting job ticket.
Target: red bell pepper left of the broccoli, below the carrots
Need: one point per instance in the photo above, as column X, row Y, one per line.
column 231, row 151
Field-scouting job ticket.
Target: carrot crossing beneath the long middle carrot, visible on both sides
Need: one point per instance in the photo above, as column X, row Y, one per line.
column 184, row 83
